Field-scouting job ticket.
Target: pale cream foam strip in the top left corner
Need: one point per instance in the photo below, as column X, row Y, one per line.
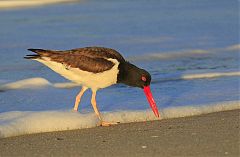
column 15, row 4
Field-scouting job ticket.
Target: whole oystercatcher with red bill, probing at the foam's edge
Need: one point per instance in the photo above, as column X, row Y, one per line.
column 95, row 68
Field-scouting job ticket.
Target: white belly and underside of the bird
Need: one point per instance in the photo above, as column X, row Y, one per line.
column 89, row 79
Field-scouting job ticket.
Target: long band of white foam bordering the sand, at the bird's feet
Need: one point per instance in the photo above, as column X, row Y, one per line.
column 28, row 122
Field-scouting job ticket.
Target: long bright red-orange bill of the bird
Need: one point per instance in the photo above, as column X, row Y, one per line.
column 151, row 101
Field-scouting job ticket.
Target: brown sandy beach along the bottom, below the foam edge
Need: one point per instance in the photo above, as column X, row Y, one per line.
column 215, row 134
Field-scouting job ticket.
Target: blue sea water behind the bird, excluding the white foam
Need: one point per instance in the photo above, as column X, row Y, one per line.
column 137, row 29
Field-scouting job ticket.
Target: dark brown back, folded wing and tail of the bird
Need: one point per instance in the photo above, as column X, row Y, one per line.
column 91, row 59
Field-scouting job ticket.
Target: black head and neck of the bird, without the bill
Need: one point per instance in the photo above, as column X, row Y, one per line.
column 131, row 75
